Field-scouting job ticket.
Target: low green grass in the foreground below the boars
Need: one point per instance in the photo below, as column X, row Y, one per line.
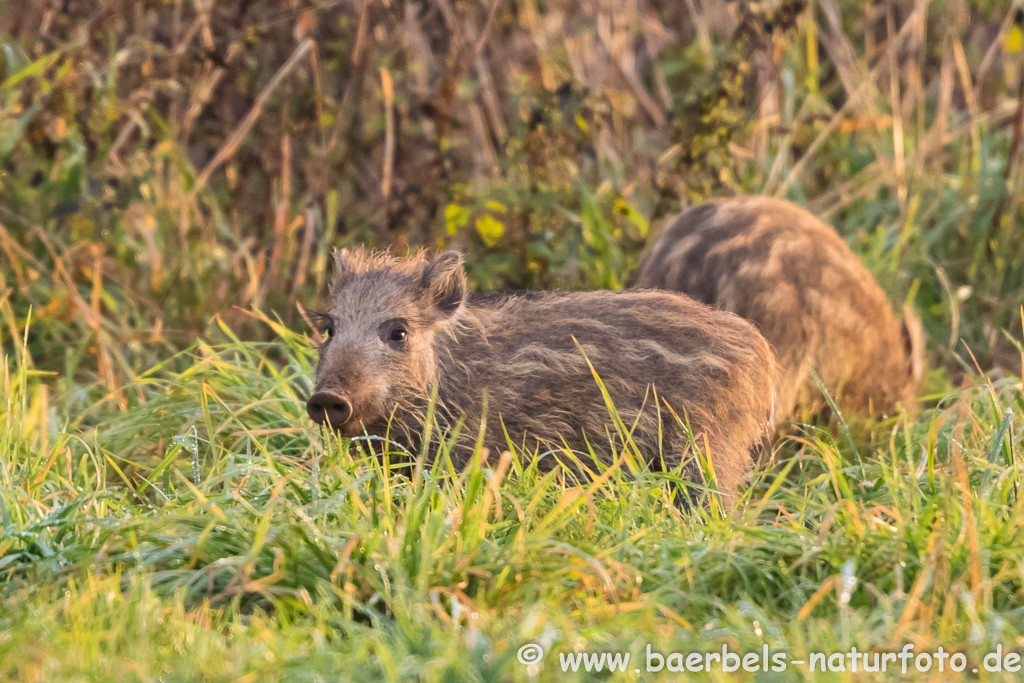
column 205, row 532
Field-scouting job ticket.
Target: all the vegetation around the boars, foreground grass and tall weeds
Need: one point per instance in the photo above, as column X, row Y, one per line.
column 174, row 178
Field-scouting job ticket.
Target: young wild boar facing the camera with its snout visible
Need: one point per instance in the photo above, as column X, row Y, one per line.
column 399, row 329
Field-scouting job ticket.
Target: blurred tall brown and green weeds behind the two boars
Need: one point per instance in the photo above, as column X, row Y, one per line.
column 167, row 162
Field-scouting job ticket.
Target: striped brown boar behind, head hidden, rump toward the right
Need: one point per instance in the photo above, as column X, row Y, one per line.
column 794, row 277
